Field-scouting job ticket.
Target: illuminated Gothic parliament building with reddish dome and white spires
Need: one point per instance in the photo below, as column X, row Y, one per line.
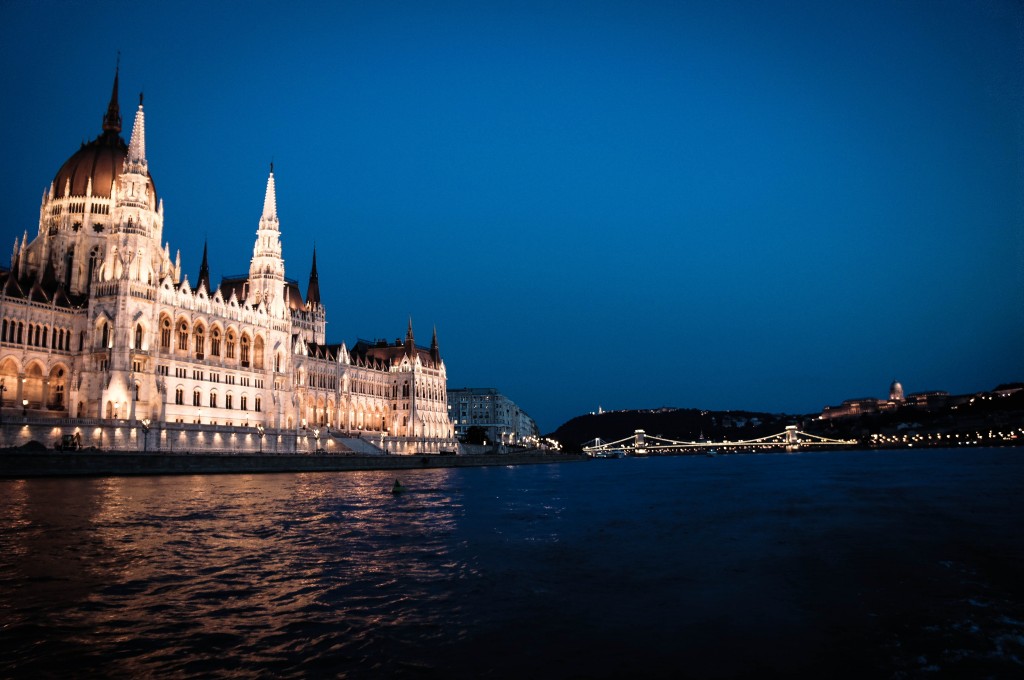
column 104, row 339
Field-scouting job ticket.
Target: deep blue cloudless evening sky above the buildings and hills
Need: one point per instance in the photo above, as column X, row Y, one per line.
column 770, row 206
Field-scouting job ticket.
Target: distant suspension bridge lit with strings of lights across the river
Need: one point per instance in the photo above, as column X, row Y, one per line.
column 643, row 444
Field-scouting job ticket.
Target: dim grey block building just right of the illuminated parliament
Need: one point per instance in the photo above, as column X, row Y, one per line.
column 503, row 421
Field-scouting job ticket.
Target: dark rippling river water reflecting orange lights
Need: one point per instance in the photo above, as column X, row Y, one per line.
column 897, row 564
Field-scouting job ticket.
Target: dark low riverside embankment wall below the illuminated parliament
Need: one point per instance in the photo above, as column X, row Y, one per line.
column 22, row 463
